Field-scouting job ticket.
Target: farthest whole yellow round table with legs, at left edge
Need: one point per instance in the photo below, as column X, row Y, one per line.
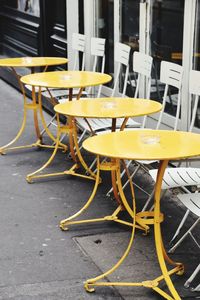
column 32, row 63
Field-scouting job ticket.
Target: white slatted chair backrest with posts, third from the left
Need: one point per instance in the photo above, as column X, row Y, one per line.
column 121, row 57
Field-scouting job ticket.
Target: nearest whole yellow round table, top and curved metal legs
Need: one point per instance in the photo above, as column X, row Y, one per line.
column 143, row 145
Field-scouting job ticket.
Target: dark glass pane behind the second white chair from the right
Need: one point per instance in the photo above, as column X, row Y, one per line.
column 166, row 44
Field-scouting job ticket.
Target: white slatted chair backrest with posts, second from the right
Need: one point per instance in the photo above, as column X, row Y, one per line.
column 171, row 74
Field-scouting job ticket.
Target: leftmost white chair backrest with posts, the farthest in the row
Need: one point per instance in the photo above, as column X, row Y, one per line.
column 78, row 44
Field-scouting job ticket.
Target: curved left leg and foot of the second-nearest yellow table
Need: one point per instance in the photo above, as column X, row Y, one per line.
column 67, row 222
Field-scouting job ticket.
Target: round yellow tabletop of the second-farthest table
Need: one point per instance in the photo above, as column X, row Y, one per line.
column 66, row 79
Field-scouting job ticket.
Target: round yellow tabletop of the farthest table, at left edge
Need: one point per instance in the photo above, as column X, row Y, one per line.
column 32, row 61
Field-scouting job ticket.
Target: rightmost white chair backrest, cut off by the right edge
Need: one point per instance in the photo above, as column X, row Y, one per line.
column 194, row 89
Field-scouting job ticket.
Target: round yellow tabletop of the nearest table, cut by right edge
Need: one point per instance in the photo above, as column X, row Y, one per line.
column 145, row 144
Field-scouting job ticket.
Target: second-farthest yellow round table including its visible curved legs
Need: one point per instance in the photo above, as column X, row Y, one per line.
column 67, row 80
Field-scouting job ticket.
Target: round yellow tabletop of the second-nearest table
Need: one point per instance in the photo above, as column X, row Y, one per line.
column 108, row 108
